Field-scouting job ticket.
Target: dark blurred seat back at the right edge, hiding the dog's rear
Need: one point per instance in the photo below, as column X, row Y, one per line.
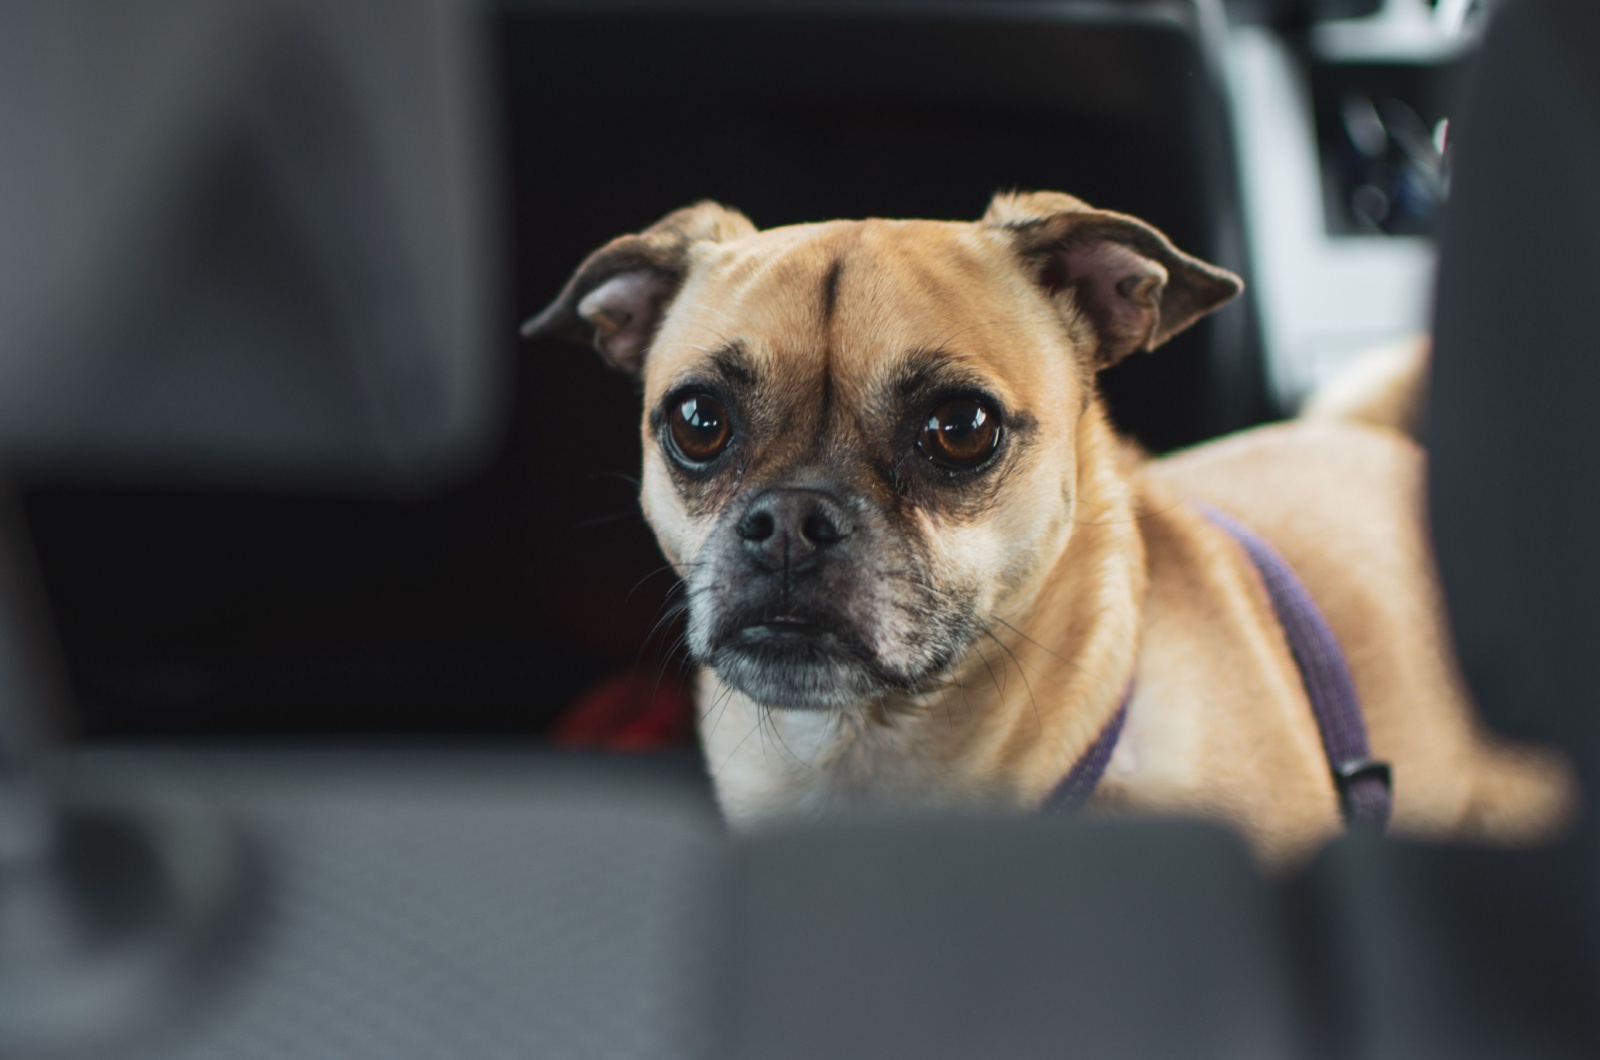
column 1516, row 452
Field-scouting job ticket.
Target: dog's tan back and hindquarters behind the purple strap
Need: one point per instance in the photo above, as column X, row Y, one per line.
column 1342, row 497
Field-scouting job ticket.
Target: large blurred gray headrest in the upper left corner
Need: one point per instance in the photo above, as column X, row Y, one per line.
column 244, row 238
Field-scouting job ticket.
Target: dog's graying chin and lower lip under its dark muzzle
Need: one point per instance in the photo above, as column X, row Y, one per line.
column 799, row 667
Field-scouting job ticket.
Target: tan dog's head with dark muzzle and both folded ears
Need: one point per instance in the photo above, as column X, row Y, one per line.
column 860, row 436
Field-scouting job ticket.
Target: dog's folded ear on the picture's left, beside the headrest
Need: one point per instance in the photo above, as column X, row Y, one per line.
column 620, row 292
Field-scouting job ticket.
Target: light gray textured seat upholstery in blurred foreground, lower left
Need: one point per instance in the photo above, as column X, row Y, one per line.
column 439, row 905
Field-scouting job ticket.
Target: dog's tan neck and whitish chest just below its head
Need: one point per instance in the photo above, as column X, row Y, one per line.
column 1010, row 720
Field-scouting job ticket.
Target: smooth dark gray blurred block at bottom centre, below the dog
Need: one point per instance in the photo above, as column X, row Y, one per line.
column 1014, row 939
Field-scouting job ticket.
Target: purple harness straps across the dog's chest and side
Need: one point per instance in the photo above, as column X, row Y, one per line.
column 1362, row 782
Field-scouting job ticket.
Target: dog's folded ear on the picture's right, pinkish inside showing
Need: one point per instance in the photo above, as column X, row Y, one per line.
column 1116, row 273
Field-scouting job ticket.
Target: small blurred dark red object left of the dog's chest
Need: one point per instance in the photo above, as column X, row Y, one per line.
column 633, row 712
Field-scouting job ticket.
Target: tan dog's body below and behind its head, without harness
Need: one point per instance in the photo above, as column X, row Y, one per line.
column 1220, row 721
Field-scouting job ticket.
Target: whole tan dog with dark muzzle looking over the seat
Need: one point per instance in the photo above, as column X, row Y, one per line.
column 922, row 571
